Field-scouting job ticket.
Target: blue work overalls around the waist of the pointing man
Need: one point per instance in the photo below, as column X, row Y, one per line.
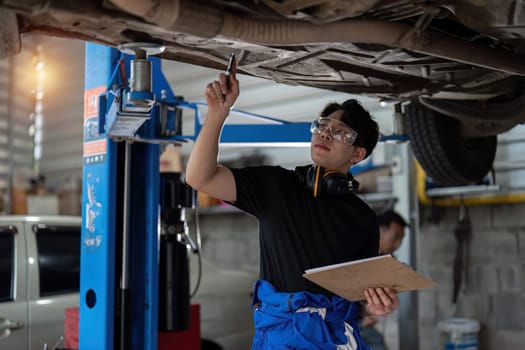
column 303, row 320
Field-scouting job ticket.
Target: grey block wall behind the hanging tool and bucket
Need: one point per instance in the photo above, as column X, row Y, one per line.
column 493, row 291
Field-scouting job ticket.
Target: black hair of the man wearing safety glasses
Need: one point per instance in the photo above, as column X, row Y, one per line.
column 358, row 118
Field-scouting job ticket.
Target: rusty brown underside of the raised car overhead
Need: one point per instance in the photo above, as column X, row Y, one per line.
column 392, row 49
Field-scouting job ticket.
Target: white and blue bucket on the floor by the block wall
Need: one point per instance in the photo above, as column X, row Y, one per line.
column 459, row 333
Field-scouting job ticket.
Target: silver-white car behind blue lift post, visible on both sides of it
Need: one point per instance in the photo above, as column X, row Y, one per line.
column 40, row 274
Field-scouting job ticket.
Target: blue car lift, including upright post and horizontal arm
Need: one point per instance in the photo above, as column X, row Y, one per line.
column 124, row 126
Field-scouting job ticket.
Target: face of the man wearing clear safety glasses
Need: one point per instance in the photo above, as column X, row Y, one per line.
column 330, row 153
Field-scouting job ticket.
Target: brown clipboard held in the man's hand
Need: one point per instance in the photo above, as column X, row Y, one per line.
column 350, row 279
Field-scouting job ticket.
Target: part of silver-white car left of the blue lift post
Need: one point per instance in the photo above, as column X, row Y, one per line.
column 39, row 279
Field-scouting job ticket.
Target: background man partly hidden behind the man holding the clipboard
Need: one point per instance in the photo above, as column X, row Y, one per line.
column 391, row 231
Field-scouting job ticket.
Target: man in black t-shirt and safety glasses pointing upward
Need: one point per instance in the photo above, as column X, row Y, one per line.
column 307, row 218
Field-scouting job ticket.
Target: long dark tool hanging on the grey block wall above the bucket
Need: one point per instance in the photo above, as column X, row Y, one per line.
column 463, row 233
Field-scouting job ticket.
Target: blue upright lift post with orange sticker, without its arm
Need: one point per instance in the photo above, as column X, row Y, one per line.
column 118, row 287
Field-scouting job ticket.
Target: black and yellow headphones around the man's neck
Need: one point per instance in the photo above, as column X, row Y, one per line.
column 326, row 182
